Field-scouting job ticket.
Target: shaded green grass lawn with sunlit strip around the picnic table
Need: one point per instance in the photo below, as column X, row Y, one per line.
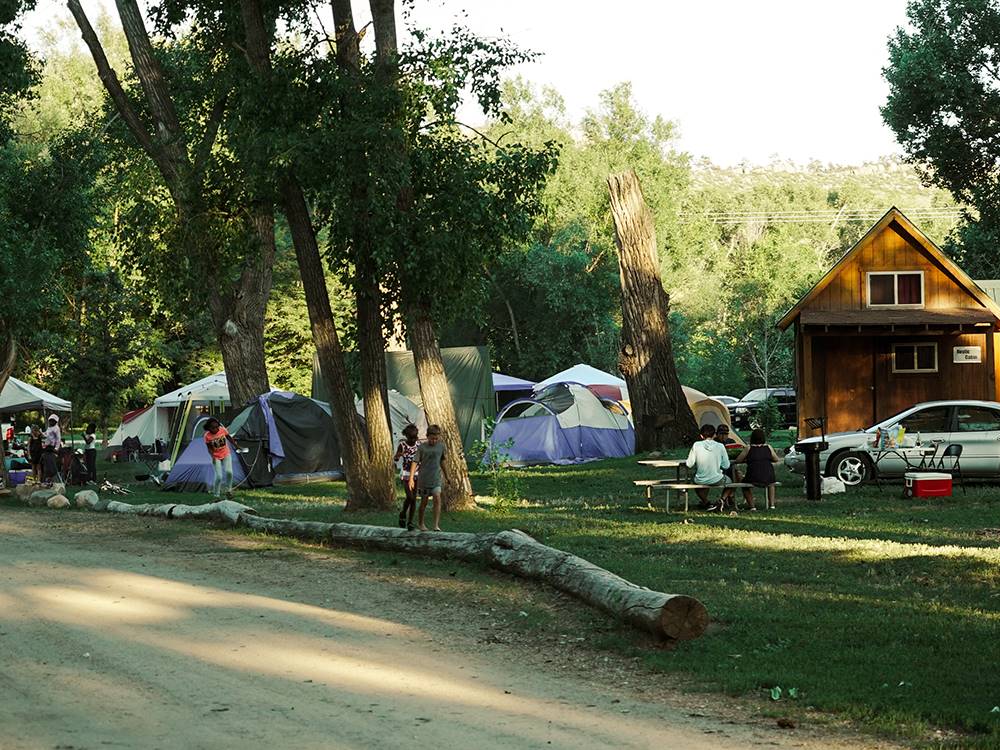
column 874, row 607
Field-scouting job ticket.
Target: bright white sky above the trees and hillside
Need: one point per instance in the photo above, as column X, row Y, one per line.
column 745, row 79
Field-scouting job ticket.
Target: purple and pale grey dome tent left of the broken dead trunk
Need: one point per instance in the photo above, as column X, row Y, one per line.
column 564, row 423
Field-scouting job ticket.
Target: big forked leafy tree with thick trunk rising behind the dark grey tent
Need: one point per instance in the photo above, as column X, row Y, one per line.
column 221, row 240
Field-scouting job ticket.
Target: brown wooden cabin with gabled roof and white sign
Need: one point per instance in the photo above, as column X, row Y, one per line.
column 893, row 323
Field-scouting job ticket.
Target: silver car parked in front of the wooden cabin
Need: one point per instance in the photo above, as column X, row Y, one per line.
column 975, row 425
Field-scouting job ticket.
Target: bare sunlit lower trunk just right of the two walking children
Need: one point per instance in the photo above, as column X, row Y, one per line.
column 457, row 491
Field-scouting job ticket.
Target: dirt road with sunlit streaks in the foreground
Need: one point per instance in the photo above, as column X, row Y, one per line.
column 142, row 633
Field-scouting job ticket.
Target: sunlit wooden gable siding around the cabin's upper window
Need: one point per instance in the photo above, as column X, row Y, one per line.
column 891, row 250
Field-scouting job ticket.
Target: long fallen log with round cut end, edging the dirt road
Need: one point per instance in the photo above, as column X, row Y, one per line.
column 672, row 616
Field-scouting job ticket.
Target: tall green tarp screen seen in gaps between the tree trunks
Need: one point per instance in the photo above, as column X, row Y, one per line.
column 470, row 380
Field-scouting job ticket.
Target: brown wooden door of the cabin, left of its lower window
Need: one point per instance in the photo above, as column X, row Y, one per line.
column 850, row 381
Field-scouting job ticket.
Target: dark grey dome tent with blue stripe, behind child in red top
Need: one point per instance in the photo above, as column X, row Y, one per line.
column 290, row 439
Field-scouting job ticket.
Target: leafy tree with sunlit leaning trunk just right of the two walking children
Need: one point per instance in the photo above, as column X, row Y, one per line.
column 460, row 196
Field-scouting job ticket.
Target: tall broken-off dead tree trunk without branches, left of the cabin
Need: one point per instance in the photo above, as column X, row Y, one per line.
column 660, row 410
